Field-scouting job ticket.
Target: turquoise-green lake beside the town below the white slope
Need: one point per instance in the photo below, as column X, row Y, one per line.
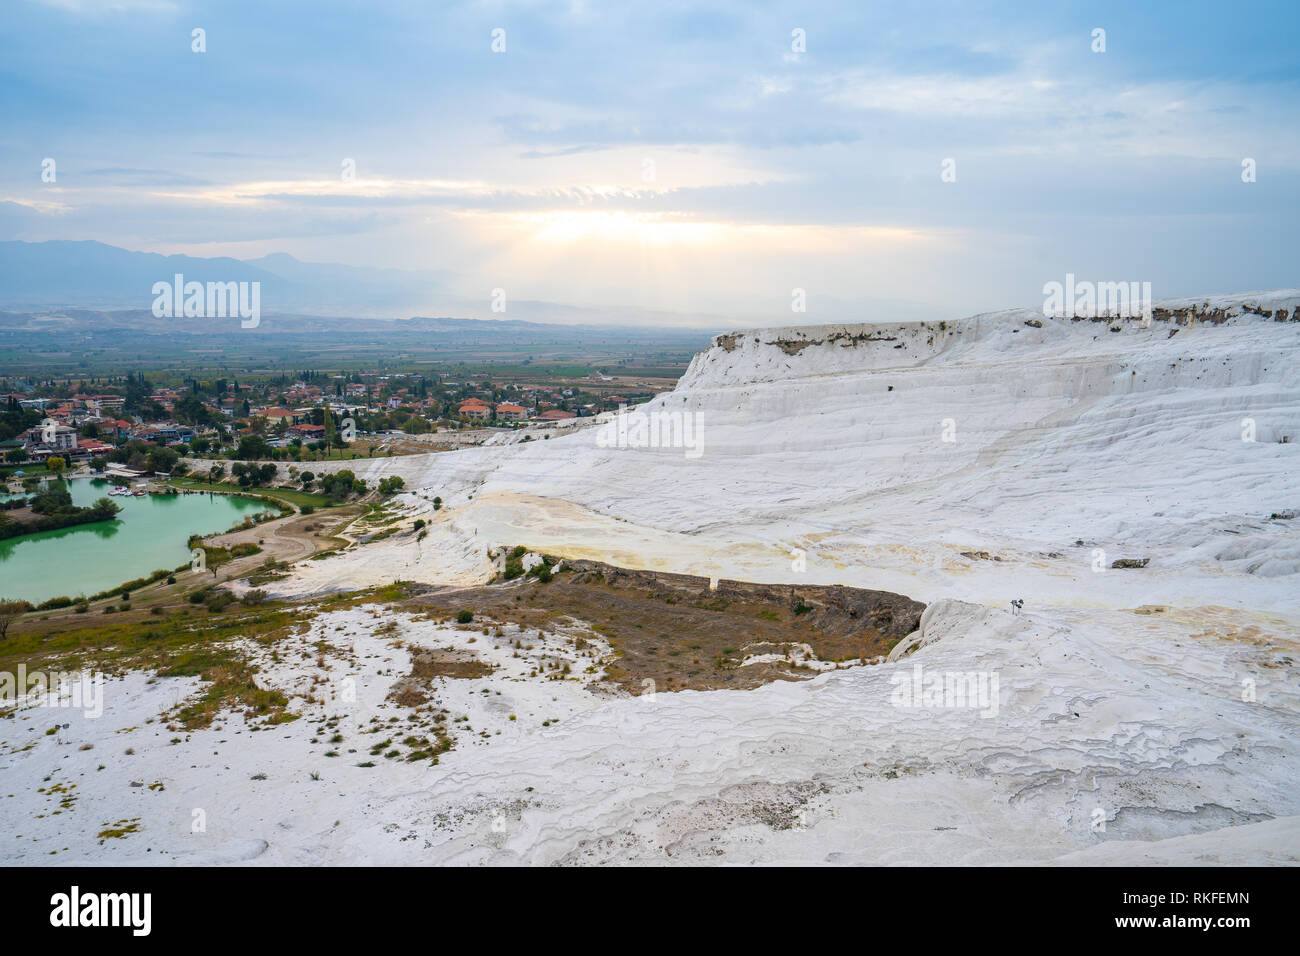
column 150, row 534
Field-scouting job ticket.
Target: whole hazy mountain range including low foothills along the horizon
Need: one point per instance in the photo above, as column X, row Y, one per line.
column 63, row 299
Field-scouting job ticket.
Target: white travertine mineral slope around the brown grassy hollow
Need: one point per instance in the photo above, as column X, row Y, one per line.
column 1141, row 715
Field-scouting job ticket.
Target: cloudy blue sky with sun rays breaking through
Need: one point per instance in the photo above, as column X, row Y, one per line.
column 696, row 159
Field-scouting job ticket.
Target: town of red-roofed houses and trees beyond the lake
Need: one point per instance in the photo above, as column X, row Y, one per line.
column 101, row 422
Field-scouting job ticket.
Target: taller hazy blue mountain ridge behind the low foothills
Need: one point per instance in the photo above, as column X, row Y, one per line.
column 64, row 274
